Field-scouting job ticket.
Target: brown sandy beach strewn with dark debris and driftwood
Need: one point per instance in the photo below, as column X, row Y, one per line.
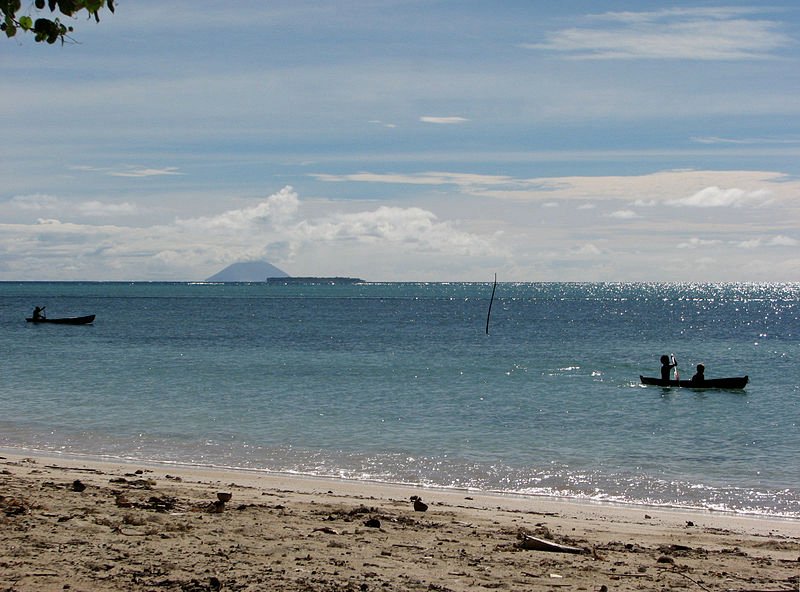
column 77, row 525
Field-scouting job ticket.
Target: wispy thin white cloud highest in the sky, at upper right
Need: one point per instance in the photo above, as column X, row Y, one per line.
column 689, row 34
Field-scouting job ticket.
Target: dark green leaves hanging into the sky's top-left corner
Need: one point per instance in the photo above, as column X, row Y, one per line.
column 43, row 28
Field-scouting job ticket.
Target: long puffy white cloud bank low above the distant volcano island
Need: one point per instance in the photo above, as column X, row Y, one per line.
column 272, row 229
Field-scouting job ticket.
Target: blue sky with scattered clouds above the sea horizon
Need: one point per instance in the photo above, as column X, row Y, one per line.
column 404, row 140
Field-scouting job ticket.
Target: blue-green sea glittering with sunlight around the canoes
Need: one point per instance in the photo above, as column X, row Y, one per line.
column 400, row 383
